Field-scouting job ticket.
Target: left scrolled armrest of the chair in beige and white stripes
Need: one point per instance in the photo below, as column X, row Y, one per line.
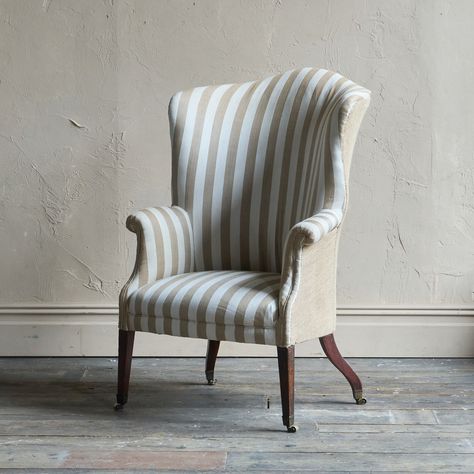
column 164, row 245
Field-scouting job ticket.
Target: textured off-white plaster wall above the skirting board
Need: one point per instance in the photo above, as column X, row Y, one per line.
column 84, row 88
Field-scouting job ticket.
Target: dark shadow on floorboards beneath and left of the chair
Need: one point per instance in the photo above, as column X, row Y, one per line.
column 91, row 390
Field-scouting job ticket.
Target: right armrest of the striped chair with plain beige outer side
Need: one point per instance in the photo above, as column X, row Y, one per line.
column 307, row 300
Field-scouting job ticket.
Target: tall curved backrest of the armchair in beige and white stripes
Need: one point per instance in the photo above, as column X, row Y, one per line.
column 251, row 160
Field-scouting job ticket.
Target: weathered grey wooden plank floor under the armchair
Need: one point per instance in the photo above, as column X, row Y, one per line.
column 56, row 414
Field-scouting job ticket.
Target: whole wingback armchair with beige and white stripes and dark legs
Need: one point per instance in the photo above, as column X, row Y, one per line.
column 248, row 250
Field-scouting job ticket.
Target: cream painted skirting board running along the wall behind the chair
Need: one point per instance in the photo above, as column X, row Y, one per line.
column 72, row 330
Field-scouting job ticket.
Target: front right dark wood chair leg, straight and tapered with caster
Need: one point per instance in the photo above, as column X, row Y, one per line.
column 286, row 367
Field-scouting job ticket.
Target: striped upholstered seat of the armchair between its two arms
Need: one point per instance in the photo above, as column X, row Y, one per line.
column 224, row 305
